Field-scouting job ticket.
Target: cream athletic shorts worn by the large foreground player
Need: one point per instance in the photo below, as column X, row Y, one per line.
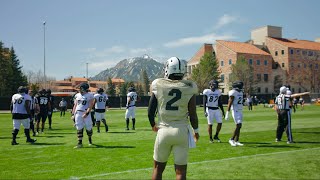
column 173, row 139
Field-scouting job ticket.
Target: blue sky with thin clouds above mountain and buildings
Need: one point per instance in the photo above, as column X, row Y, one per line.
column 103, row 32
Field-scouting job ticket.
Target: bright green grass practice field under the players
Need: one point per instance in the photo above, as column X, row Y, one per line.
column 121, row 154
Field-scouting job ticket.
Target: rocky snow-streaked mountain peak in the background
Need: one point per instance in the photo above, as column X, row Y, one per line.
column 130, row 69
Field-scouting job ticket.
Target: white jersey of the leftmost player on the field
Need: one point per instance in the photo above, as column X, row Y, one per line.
column 18, row 103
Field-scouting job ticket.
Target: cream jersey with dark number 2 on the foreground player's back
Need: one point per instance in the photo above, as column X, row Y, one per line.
column 173, row 98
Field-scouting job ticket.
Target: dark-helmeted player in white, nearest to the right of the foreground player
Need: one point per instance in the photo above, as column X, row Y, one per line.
column 212, row 103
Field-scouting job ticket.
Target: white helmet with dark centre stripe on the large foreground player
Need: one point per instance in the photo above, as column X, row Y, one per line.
column 175, row 66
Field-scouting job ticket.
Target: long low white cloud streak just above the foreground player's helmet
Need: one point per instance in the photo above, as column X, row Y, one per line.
column 208, row 38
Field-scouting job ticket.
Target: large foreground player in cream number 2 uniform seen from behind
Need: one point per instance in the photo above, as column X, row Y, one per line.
column 175, row 101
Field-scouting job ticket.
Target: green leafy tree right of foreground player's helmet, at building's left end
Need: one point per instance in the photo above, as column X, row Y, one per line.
column 205, row 71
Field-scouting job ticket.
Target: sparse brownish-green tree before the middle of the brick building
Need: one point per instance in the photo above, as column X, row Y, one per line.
column 244, row 72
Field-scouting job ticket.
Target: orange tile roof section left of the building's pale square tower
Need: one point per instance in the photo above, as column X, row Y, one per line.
column 240, row 47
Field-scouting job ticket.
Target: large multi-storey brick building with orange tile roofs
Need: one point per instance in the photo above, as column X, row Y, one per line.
column 276, row 60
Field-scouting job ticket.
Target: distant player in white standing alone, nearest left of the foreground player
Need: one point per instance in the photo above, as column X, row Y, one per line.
column 131, row 107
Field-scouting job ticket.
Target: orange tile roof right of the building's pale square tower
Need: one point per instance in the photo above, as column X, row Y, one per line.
column 299, row 44
